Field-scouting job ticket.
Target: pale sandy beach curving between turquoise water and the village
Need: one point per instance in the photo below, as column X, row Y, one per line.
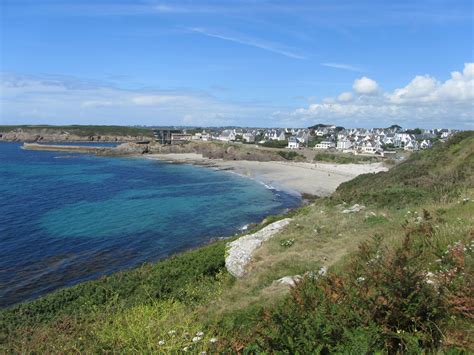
column 319, row 179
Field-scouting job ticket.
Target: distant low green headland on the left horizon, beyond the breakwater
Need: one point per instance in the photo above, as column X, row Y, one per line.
column 85, row 130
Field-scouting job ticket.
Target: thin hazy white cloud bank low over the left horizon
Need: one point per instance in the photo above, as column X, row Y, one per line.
column 60, row 100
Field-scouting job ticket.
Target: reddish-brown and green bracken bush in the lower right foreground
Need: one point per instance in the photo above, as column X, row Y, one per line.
column 383, row 300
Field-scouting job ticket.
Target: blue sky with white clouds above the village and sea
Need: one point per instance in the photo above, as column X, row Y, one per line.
column 364, row 63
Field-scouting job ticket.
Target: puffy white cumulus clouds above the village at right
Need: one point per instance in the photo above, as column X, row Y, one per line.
column 424, row 101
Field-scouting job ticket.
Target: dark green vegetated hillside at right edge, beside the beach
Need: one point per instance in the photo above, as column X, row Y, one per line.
column 445, row 170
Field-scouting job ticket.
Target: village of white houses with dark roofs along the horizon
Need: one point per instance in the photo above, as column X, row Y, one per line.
column 359, row 141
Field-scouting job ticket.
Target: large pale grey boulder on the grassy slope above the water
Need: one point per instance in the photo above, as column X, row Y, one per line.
column 239, row 252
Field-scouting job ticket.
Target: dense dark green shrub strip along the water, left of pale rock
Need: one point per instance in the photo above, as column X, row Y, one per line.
column 167, row 279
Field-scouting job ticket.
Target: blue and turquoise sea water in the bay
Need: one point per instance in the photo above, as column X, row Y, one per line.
column 67, row 218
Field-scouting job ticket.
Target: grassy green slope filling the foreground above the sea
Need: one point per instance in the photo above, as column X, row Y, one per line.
column 174, row 299
